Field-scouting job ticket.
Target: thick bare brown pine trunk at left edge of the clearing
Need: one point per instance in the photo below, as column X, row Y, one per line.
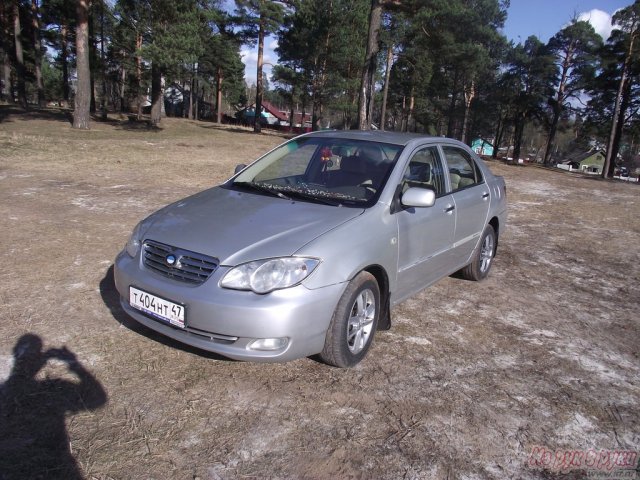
column 83, row 86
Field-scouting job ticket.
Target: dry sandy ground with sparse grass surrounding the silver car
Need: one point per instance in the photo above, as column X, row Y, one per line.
column 470, row 379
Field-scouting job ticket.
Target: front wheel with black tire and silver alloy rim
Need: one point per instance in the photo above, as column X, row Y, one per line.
column 354, row 323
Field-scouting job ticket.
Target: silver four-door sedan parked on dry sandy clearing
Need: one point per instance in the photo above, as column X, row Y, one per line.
column 306, row 250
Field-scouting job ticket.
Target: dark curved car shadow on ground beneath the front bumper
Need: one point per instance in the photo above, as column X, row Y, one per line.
column 111, row 299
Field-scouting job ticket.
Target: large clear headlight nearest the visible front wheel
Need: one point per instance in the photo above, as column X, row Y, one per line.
column 264, row 276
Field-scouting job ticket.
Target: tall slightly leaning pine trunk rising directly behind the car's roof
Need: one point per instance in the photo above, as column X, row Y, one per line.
column 369, row 68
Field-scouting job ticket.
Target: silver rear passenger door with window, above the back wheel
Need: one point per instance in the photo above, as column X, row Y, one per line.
column 471, row 197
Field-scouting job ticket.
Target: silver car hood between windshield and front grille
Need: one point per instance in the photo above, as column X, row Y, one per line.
column 238, row 227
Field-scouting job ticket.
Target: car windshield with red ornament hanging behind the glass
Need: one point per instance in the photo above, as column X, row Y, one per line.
column 334, row 171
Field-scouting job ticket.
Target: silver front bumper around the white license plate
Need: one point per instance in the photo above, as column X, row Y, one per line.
column 228, row 322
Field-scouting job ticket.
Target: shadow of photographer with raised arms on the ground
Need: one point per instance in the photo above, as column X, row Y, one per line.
column 34, row 442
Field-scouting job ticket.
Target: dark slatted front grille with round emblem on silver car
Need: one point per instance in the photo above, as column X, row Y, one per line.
column 189, row 267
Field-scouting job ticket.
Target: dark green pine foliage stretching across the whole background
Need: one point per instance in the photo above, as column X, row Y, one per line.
column 452, row 71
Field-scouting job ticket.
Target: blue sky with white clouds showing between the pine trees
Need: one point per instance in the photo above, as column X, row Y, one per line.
column 543, row 18
